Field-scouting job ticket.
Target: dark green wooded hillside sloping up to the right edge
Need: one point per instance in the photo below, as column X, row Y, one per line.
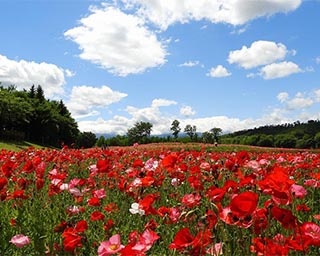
column 288, row 135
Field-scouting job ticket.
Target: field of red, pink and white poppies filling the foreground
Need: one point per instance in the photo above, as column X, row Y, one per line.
column 159, row 200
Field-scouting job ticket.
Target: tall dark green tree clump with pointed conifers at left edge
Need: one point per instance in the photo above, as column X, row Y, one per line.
column 28, row 115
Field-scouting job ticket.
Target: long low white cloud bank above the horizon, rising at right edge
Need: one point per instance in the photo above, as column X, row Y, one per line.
column 293, row 110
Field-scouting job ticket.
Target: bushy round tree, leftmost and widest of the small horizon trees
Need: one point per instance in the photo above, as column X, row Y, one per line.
column 140, row 132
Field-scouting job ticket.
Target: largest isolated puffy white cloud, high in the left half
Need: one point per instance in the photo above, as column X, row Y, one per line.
column 118, row 42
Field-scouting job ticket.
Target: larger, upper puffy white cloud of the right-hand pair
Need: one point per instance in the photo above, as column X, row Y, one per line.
column 258, row 54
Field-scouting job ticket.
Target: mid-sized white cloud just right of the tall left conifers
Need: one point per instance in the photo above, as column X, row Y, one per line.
column 84, row 99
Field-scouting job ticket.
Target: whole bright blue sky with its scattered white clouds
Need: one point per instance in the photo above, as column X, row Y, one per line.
column 233, row 64
